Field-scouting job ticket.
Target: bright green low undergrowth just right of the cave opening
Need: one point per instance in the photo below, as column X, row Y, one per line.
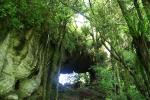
column 106, row 84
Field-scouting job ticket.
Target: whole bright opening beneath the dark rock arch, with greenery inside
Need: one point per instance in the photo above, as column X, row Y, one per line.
column 73, row 80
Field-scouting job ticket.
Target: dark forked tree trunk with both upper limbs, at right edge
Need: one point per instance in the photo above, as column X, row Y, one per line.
column 140, row 45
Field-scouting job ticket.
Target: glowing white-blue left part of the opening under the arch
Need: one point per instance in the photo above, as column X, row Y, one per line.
column 67, row 78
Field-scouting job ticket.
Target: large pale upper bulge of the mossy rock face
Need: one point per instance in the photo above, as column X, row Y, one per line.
column 18, row 65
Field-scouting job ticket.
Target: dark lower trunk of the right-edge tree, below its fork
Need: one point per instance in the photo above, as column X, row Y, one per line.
column 143, row 58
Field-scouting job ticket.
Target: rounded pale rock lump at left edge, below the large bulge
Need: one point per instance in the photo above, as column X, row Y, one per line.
column 6, row 84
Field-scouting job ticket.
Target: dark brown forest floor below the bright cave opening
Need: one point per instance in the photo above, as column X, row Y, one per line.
column 84, row 93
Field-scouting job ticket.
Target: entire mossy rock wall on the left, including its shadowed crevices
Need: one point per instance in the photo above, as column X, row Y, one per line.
column 22, row 62
